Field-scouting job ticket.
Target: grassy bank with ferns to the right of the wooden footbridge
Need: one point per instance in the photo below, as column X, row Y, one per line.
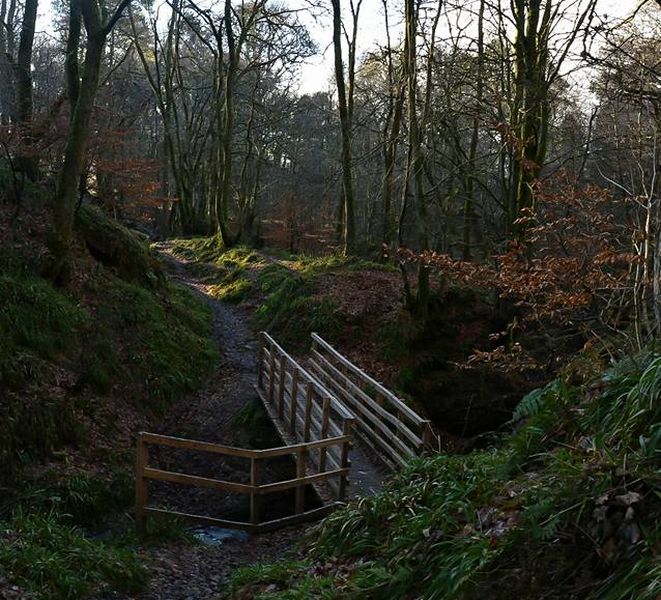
column 567, row 506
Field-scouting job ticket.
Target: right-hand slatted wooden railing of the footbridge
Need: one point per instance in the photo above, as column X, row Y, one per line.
column 383, row 421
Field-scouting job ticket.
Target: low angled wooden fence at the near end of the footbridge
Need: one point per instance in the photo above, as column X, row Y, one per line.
column 255, row 489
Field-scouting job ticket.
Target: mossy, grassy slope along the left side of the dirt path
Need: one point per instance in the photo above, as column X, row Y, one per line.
column 68, row 355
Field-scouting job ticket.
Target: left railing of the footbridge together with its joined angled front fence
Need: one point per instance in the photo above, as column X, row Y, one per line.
column 318, row 423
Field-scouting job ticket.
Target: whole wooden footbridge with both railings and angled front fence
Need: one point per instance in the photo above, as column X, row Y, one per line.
column 319, row 411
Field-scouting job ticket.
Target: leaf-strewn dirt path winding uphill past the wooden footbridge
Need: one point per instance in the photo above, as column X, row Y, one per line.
column 180, row 570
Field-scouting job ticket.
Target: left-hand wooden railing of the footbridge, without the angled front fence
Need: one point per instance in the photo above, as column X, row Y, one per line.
column 302, row 408
